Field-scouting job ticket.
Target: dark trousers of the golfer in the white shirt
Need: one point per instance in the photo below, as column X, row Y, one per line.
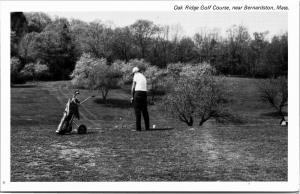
column 140, row 107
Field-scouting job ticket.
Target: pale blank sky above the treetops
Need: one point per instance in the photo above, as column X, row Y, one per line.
column 191, row 22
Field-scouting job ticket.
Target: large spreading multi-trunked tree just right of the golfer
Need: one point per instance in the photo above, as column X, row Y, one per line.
column 197, row 95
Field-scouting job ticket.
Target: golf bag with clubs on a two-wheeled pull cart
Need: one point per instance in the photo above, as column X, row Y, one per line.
column 71, row 112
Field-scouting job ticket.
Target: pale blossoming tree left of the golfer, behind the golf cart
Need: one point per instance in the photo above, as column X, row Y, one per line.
column 95, row 74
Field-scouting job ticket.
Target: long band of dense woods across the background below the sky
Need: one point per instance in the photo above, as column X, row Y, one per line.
column 58, row 43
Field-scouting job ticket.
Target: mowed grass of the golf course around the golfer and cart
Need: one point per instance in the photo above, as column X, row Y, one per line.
column 253, row 151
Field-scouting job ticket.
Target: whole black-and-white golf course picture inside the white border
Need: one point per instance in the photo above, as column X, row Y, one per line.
column 150, row 96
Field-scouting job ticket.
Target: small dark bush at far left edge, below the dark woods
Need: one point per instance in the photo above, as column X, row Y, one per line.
column 15, row 68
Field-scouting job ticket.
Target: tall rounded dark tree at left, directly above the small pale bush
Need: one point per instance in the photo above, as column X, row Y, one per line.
column 54, row 46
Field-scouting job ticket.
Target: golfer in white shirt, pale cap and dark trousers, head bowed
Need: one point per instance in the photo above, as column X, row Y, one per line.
column 139, row 98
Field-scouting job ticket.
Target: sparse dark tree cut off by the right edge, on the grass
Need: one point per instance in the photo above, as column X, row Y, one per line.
column 275, row 92
